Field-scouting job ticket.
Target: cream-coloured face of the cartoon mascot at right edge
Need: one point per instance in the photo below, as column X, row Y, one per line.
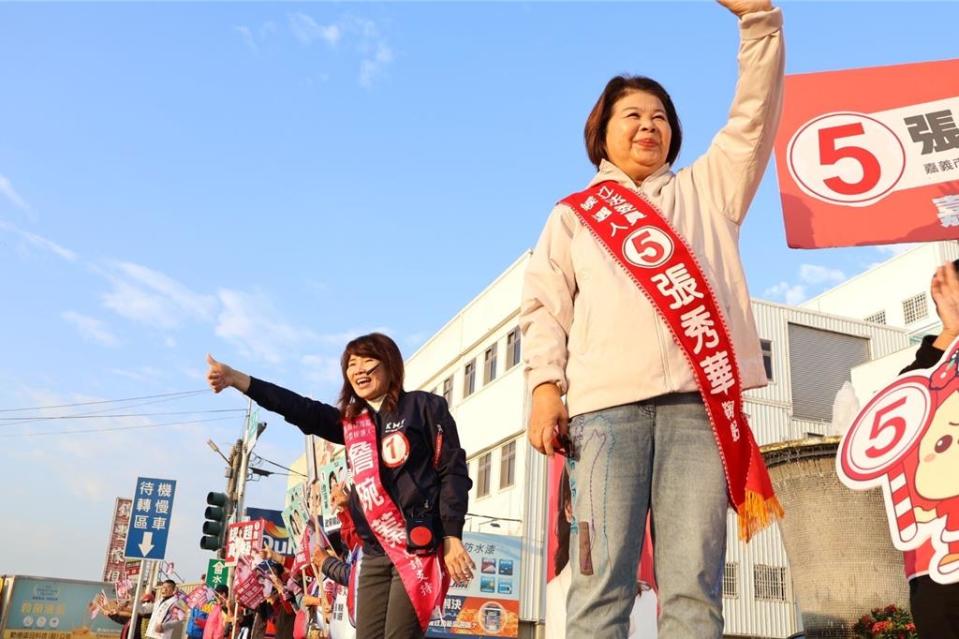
column 939, row 453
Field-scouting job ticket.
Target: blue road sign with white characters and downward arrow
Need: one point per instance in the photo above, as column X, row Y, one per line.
column 150, row 518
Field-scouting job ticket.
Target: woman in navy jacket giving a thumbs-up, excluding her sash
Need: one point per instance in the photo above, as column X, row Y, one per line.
column 422, row 466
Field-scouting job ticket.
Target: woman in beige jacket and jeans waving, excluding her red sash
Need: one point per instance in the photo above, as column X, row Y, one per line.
column 640, row 434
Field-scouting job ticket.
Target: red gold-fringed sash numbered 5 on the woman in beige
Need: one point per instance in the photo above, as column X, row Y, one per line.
column 665, row 269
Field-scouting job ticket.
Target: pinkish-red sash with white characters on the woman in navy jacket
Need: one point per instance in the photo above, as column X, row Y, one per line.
column 424, row 577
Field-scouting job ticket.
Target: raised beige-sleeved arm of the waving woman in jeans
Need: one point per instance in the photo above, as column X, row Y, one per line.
column 728, row 174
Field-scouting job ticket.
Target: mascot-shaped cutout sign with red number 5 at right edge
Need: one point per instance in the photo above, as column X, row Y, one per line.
column 906, row 442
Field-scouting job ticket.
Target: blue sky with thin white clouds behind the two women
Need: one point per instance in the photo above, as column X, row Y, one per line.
column 264, row 181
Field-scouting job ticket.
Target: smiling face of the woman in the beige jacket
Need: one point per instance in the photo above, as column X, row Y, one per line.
column 638, row 135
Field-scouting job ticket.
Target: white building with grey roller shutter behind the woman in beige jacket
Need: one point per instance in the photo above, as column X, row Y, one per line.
column 474, row 360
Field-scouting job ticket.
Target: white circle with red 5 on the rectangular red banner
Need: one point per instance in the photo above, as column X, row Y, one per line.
column 849, row 159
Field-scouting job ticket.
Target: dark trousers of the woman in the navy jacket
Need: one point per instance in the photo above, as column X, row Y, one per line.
column 383, row 609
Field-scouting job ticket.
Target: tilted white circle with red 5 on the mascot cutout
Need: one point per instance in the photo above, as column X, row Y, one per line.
column 885, row 430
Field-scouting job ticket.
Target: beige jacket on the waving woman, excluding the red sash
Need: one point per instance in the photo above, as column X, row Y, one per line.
column 587, row 327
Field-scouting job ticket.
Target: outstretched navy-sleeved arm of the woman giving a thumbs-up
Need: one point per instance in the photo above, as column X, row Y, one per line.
column 310, row 416
